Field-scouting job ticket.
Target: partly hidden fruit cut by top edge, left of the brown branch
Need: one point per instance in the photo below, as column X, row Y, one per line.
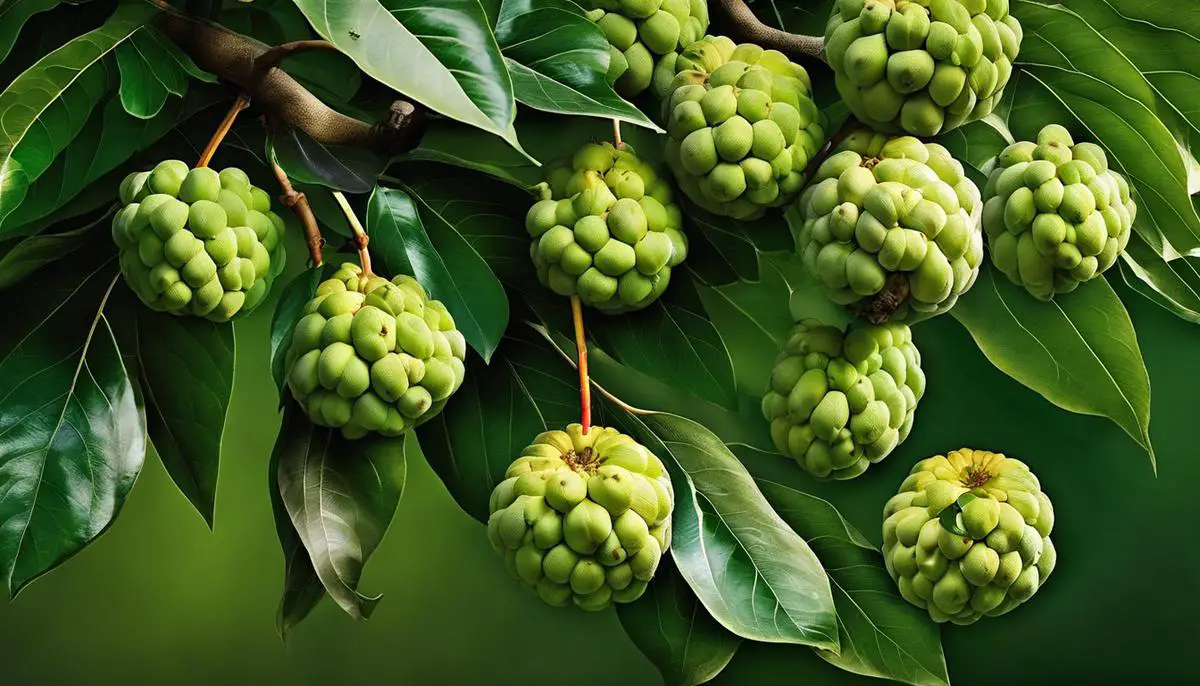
column 645, row 38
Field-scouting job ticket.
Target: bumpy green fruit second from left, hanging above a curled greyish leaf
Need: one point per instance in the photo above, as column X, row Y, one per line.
column 374, row 357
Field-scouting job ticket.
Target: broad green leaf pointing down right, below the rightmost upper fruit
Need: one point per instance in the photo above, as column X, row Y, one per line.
column 1079, row 352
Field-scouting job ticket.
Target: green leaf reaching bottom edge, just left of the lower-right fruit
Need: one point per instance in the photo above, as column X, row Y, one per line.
column 883, row 635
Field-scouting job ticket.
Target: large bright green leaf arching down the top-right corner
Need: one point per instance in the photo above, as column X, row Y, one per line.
column 1115, row 105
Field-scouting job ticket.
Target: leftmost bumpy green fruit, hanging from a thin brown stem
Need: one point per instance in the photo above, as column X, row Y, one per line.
column 196, row 242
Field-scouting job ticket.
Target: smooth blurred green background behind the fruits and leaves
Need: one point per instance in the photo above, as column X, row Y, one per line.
column 161, row 600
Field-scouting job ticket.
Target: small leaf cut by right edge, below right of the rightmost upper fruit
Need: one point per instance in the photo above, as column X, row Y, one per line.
column 1173, row 285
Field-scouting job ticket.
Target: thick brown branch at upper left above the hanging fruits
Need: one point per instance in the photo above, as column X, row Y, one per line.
column 236, row 58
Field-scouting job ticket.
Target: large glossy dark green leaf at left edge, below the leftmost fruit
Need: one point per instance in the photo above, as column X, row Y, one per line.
column 73, row 428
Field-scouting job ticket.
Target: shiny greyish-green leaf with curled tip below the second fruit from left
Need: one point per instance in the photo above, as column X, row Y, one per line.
column 340, row 497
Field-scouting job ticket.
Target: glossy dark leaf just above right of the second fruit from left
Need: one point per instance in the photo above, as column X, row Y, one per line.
column 416, row 237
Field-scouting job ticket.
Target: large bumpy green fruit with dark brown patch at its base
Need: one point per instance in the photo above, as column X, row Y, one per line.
column 891, row 228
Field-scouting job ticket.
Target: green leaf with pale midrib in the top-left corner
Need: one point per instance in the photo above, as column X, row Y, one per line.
column 47, row 105
